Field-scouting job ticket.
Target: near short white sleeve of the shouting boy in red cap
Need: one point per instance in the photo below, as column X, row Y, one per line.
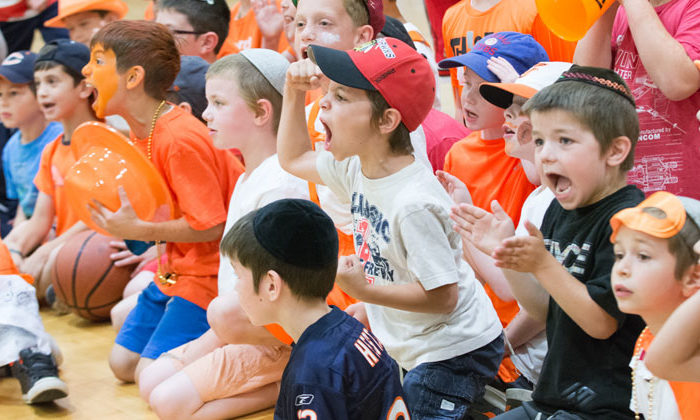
column 430, row 255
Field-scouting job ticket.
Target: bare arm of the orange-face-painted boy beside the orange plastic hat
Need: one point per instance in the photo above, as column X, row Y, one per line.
column 126, row 225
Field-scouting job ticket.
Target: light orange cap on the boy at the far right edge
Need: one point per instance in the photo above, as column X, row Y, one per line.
column 666, row 226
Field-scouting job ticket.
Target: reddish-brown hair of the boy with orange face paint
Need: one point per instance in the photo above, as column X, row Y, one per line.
column 146, row 44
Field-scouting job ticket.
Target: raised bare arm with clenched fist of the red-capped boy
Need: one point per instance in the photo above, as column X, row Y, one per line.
column 293, row 142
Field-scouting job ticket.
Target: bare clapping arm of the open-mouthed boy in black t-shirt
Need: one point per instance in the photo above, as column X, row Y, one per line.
column 529, row 255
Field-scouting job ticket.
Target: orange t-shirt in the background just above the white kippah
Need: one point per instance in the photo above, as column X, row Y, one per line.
column 243, row 33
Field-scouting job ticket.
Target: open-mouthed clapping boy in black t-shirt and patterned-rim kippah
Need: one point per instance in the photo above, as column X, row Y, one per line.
column 582, row 153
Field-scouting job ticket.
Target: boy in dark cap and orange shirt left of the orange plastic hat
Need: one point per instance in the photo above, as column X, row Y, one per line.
column 65, row 97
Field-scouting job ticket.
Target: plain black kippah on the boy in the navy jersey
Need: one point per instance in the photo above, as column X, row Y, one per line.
column 297, row 232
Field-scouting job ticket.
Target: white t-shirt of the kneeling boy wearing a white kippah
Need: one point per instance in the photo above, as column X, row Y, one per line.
column 267, row 183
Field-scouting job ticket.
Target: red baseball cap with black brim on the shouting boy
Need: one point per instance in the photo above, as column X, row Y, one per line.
column 386, row 65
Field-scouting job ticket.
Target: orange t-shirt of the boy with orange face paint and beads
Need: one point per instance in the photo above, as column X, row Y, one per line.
column 201, row 179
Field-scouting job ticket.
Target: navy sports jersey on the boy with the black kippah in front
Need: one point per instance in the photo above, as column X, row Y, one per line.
column 339, row 370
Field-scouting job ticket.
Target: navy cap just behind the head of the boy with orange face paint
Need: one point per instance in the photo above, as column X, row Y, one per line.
column 190, row 82
